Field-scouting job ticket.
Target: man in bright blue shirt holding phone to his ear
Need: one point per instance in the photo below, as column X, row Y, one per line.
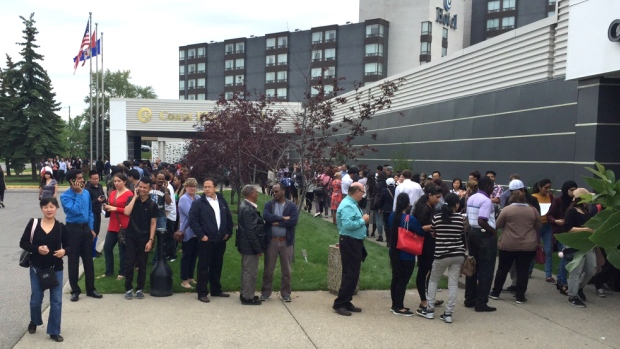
column 80, row 221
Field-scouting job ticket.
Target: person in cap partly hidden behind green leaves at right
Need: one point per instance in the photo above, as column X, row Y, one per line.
column 577, row 215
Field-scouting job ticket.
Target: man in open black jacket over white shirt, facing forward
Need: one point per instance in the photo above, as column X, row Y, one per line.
column 211, row 220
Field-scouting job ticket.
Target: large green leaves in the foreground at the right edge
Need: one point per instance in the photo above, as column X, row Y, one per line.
column 604, row 224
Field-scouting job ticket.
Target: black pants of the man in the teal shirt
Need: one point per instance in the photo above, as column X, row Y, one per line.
column 351, row 258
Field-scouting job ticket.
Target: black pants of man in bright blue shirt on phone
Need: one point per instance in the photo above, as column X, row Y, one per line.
column 81, row 243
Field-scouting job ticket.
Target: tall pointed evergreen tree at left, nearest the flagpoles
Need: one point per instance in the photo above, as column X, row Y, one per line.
column 36, row 103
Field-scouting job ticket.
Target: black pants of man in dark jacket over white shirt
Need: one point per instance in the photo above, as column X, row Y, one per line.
column 210, row 262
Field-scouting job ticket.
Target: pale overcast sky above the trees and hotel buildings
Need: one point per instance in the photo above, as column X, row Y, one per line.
column 144, row 36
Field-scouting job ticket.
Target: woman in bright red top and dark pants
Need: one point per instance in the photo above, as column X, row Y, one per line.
column 116, row 207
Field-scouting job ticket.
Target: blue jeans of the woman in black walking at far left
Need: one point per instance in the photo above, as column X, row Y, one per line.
column 36, row 299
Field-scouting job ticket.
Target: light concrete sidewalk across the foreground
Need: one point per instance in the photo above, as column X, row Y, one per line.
column 545, row 321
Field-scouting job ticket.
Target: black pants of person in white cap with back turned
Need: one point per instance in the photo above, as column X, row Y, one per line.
column 522, row 260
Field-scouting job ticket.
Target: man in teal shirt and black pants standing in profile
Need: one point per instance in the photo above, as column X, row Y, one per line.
column 352, row 230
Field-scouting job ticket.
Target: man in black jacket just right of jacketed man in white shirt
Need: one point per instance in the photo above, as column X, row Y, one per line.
column 250, row 242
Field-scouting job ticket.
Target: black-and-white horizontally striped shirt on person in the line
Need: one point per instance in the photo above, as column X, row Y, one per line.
column 449, row 236
